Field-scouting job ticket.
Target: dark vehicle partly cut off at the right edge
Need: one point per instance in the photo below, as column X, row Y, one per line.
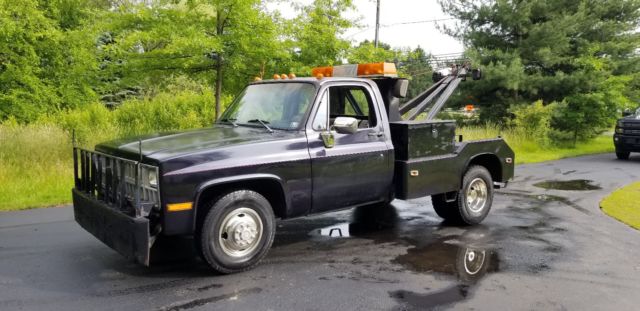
column 627, row 135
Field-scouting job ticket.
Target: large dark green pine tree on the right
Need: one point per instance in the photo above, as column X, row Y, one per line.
column 568, row 52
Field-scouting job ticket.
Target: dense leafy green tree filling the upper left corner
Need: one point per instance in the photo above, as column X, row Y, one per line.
column 44, row 67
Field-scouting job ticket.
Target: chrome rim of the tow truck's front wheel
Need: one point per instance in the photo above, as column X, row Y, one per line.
column 240, row 232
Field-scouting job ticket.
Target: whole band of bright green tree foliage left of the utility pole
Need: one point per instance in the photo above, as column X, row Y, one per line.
column 64, row 54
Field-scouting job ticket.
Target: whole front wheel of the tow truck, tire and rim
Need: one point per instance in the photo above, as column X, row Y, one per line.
column 237, row 232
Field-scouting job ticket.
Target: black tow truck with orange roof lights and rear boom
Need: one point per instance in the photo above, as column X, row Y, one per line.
column 286, row 148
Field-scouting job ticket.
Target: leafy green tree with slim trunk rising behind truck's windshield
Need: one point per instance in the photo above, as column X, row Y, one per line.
column 222, row 42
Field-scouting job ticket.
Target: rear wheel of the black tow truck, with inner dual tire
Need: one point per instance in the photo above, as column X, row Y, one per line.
column 473, row 201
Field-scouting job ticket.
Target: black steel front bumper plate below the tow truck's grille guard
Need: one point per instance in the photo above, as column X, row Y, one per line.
column 127, row 235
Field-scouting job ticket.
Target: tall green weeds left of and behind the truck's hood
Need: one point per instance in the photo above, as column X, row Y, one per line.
column 36, row 165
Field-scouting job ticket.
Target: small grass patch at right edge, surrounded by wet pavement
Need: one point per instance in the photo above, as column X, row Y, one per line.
column 622, row 205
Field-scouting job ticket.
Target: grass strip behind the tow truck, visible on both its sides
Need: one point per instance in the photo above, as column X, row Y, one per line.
column 36, row 165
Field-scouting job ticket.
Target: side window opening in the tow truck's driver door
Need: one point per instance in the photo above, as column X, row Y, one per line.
column 352, row 101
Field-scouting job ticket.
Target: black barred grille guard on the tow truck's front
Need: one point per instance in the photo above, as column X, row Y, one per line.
column 115, row 181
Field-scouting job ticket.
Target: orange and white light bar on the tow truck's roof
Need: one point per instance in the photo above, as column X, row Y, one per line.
column 373, row 70
